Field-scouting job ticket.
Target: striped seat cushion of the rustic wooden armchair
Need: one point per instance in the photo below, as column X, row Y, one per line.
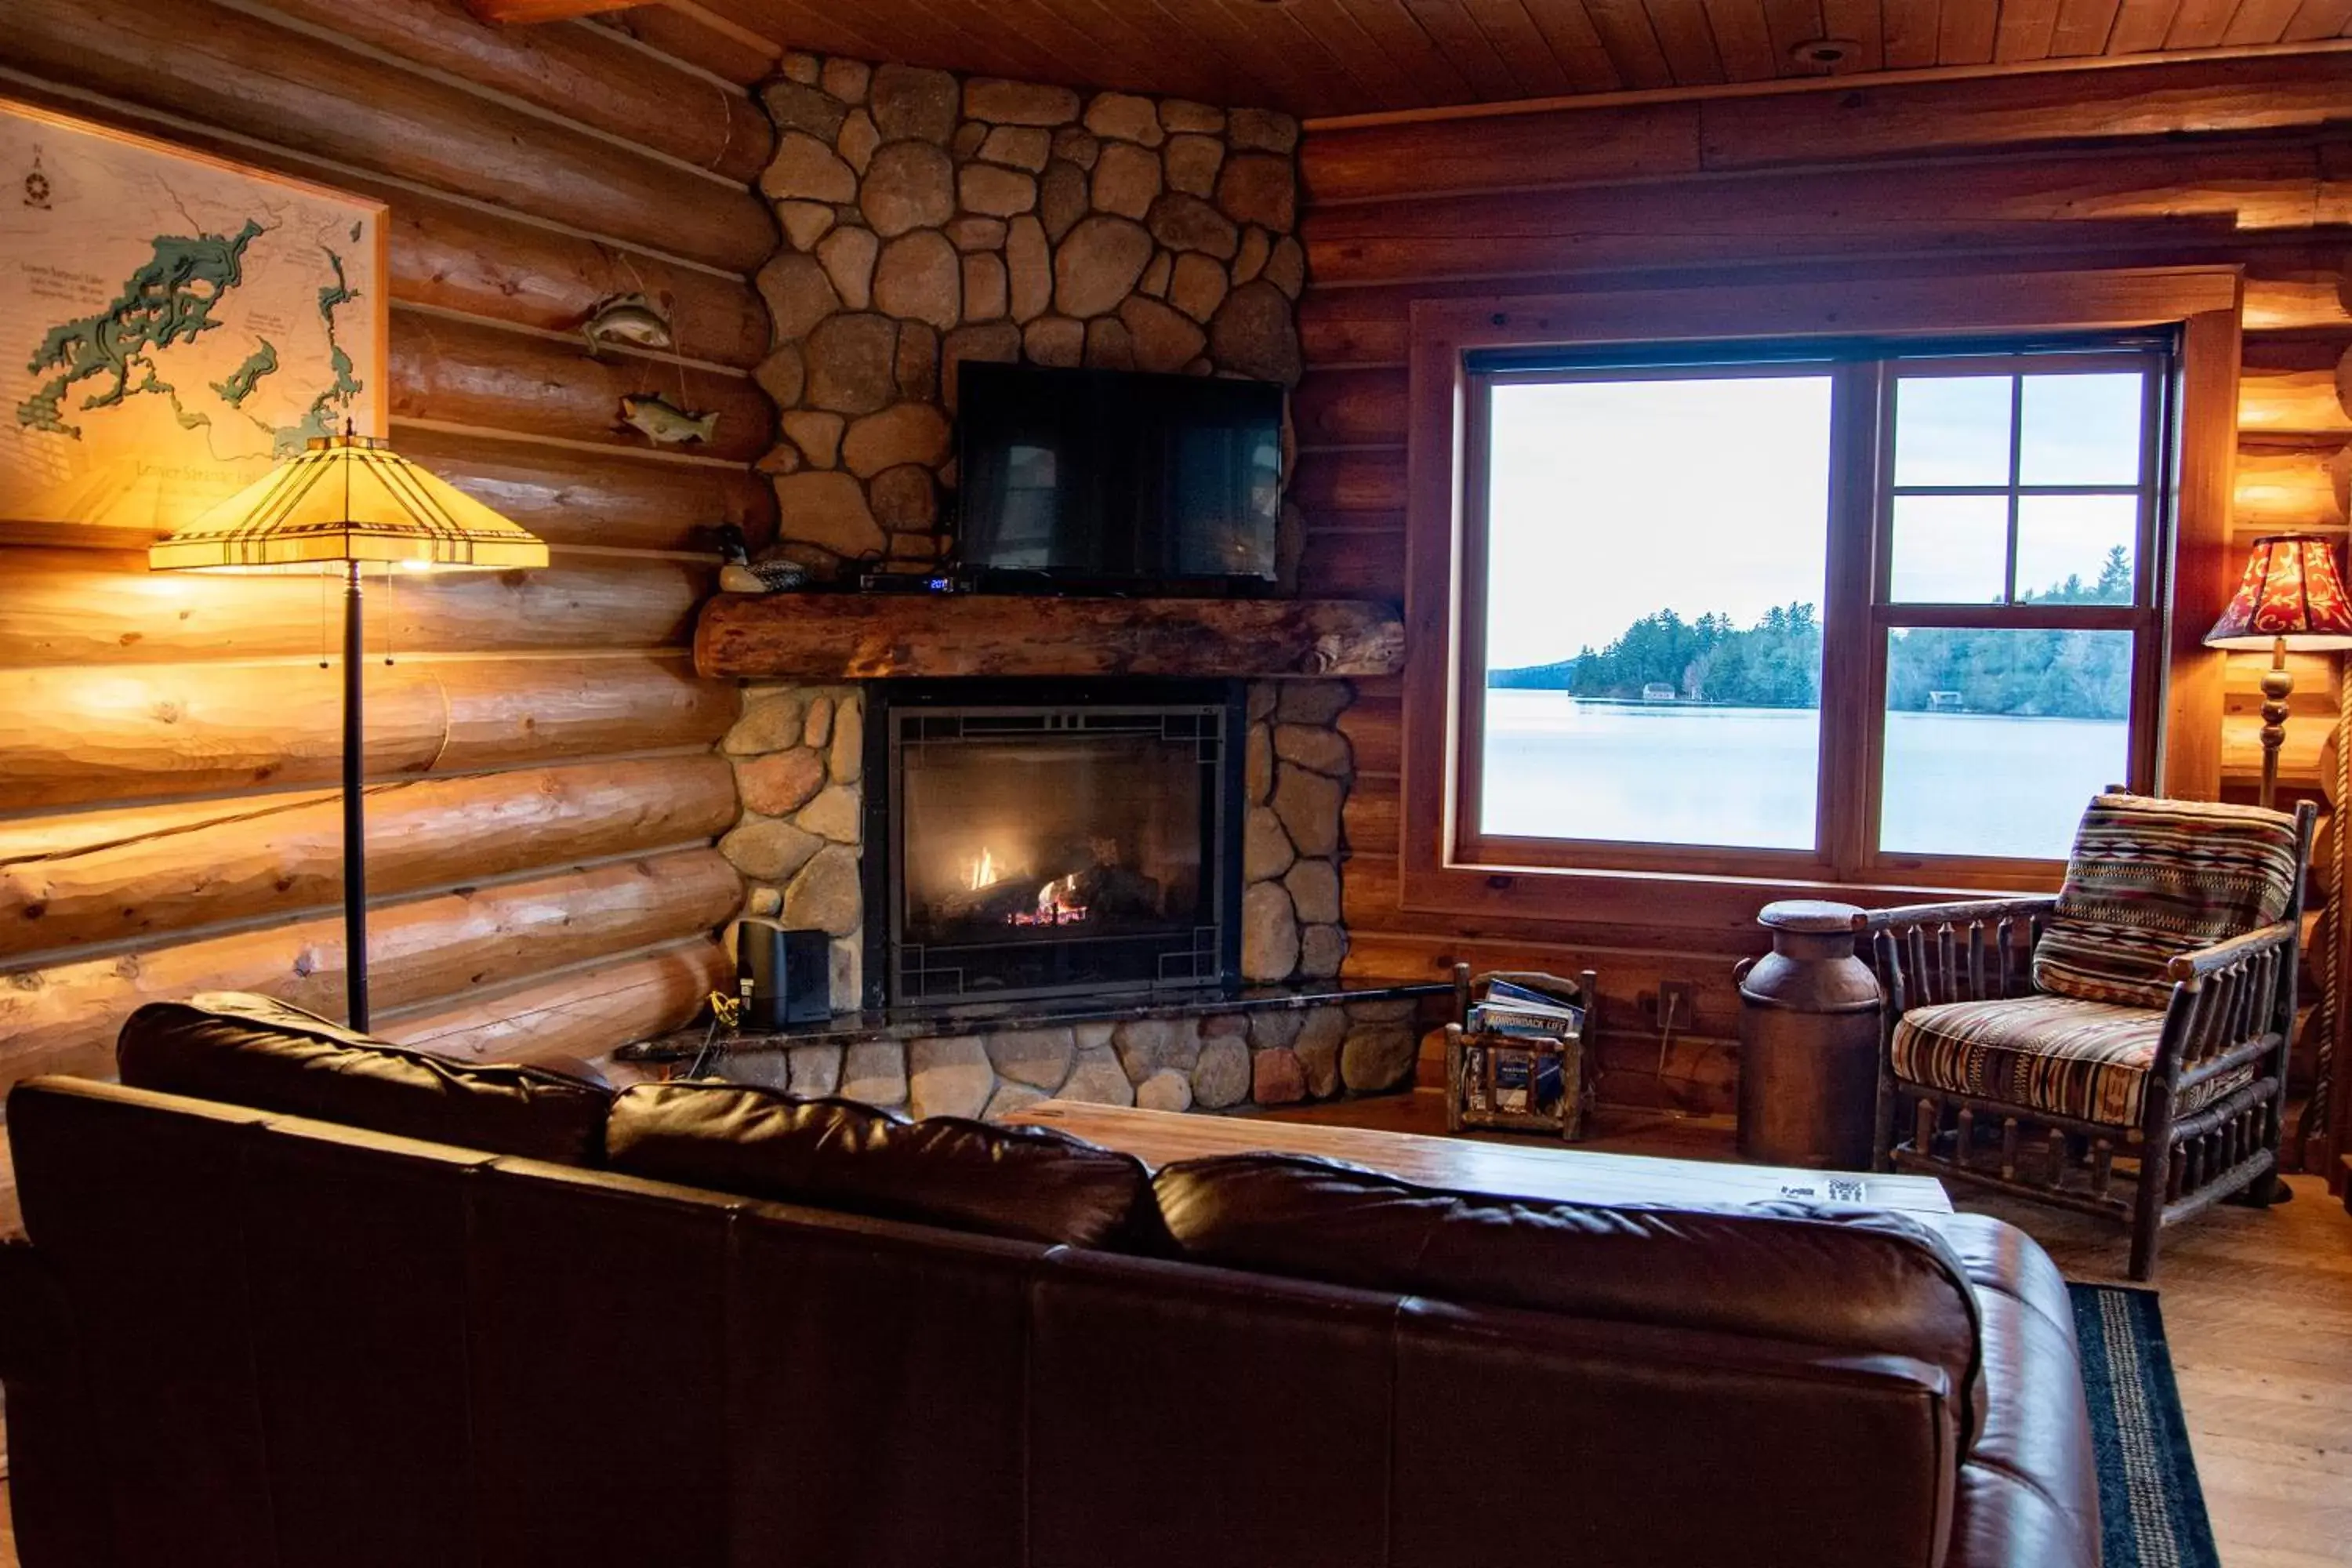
column 2054, row 1054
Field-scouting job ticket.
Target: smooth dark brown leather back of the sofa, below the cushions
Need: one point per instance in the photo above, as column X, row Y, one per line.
column 300, row 1343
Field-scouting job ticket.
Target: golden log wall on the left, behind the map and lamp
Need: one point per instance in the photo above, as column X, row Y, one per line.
column 542, row 779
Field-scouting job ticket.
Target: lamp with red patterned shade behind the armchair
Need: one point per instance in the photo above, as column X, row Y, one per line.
column 2292, row 601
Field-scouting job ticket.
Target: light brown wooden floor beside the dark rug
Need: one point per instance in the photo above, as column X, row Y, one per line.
column 2257, row 1306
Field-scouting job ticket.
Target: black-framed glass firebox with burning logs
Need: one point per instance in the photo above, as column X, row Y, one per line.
column 1053, row 838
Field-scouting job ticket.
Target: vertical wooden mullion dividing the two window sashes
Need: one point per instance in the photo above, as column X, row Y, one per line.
column 1847, row 664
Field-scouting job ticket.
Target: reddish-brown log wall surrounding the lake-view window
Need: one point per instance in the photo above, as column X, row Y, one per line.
column 2193, row 163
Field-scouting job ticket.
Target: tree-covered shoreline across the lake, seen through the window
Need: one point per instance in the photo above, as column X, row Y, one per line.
column 1777, row 662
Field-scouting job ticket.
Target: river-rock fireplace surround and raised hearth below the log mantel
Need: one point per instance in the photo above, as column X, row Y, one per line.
column 810, row 758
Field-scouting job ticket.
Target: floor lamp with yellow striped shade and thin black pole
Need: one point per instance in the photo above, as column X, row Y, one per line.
column 345, row 504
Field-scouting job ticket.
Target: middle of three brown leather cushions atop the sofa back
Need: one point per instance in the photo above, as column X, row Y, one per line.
column 1003, row 1181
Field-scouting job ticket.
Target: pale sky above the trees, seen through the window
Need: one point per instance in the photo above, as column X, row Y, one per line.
column 1615, row 500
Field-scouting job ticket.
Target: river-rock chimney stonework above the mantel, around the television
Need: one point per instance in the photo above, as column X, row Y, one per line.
column 933, row 220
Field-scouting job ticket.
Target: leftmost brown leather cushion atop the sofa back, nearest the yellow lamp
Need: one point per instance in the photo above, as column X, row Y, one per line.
column 272, row 1057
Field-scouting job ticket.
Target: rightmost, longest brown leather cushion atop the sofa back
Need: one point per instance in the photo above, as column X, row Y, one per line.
column 1833, row 1278
